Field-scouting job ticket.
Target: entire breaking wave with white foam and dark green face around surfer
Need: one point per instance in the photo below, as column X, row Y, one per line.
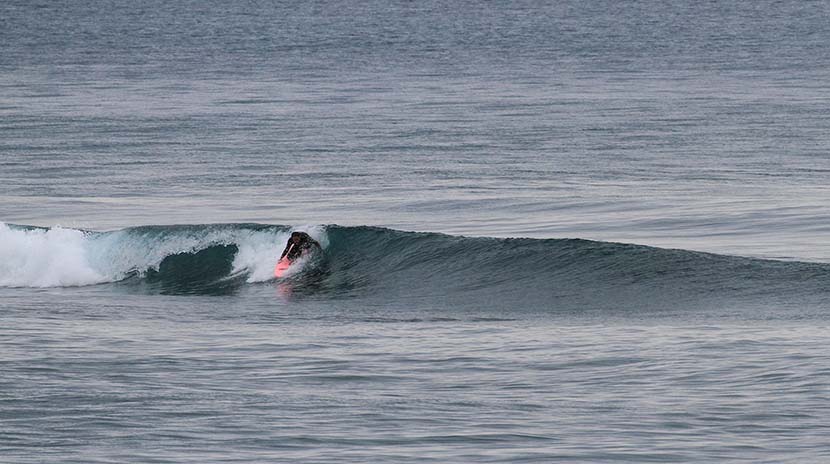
column 390, row 266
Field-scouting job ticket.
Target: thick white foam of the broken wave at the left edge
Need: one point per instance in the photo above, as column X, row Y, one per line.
column 55, row 257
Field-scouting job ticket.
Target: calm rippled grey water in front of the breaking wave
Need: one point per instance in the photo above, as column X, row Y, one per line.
column 210, row 380
